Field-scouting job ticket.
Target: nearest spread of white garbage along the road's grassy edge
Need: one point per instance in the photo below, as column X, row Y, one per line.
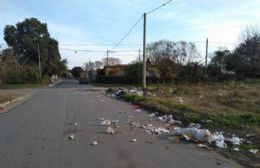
column 194, row 133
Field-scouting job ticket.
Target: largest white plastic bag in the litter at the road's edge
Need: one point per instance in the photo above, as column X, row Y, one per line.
column 202, row 135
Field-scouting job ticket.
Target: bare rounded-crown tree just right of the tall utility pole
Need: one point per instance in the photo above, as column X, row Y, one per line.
column 170, row 56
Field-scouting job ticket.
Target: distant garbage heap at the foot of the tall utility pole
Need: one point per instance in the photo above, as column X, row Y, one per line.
column 118, row 93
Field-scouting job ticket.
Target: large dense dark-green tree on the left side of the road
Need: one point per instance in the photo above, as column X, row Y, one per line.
column 25, row 37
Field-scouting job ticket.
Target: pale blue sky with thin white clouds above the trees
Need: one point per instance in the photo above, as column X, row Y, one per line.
column 99, row 24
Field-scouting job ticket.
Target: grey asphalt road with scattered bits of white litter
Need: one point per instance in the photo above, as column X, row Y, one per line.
column 34, row 135
